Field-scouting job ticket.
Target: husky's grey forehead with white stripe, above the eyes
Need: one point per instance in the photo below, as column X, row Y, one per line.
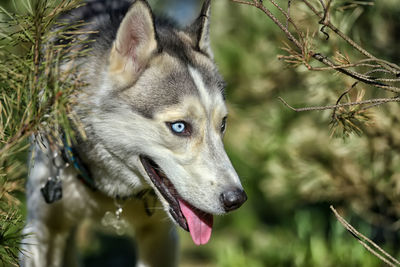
column 169, row 80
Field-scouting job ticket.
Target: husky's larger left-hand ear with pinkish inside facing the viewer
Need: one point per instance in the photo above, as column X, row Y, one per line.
column 135, row 43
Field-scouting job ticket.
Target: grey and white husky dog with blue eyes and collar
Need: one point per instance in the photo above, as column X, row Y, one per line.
column 154, row 115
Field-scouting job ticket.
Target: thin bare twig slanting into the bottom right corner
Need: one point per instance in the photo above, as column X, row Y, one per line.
column 366, row 242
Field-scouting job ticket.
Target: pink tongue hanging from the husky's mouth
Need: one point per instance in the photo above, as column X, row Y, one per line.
column 200, row 223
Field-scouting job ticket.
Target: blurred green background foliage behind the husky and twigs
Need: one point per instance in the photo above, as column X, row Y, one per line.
column 290, row 165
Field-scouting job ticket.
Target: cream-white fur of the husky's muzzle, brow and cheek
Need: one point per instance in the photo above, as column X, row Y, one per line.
column 197, row 165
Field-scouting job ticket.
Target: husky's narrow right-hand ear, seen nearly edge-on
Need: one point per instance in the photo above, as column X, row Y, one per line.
column 199, row 31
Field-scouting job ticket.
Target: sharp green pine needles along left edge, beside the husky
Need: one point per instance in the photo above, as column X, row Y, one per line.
column 35, row 98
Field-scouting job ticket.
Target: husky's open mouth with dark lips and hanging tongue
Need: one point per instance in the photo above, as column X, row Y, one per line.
column 197, row 222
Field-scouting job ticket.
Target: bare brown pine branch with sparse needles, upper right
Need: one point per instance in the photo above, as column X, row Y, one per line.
column 373, row 72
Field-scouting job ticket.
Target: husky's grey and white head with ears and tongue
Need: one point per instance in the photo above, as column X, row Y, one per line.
column 165, row 117
